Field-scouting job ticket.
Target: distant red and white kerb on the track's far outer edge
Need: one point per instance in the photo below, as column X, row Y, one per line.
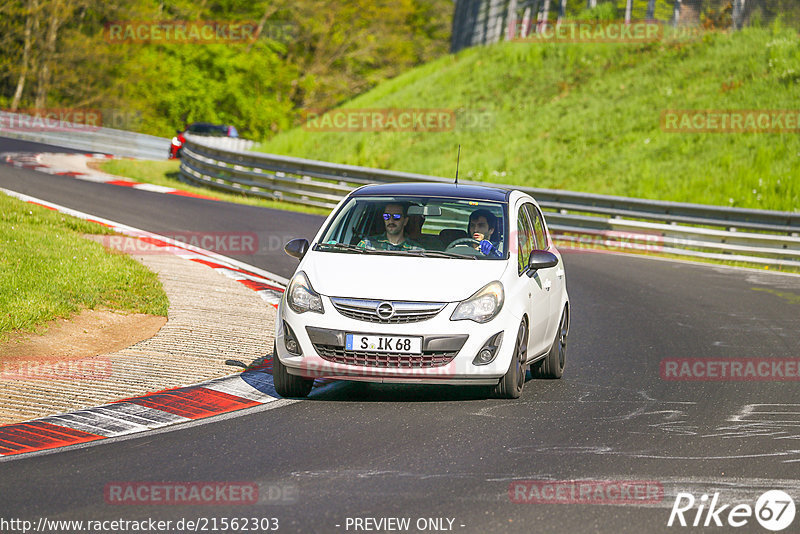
column 76, row 166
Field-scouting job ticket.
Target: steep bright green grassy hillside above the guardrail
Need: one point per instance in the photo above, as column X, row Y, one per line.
column 586, row 117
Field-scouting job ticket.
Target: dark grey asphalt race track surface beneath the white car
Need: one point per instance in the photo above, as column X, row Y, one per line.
column 378, row 451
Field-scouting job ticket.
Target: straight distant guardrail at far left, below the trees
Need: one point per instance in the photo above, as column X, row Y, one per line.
column 81, row 137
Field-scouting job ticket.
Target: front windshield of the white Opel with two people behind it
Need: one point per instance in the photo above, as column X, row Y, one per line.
column 418, row 226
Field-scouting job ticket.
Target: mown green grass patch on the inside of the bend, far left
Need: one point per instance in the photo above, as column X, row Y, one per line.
column 47, row 270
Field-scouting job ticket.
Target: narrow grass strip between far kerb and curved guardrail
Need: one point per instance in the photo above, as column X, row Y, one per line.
column 166, row 173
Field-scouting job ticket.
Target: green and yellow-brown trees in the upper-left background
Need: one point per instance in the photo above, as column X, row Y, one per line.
column 309, row 54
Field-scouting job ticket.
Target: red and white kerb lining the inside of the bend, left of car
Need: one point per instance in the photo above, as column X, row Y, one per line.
column 250, row 388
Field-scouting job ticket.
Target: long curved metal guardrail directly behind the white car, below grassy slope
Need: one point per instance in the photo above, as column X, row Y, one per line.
column 579, row 220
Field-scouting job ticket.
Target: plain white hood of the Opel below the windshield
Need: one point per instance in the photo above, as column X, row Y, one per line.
column 383, row 277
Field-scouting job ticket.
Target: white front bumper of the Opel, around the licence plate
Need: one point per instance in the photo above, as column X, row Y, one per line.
column 449, row 348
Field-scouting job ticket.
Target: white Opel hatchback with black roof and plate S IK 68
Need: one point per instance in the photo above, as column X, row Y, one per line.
column 425, row 283
